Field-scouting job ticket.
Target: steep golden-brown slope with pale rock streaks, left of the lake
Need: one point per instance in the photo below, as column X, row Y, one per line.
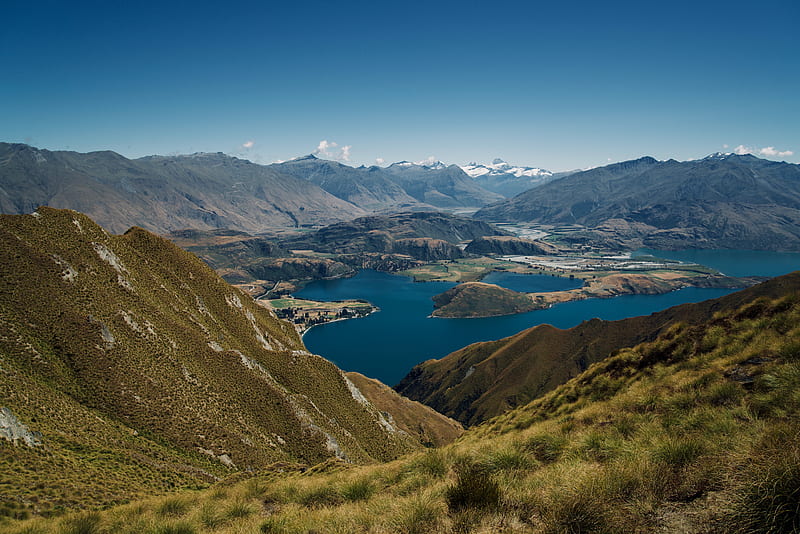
column 134, row 368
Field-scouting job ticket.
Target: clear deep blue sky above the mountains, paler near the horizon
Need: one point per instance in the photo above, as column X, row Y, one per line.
column 560, row 85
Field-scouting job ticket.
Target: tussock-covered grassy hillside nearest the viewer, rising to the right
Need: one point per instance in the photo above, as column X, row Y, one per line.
column 693, row 432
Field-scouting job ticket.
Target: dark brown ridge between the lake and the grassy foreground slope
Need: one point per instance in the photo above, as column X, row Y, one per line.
column 486, row 379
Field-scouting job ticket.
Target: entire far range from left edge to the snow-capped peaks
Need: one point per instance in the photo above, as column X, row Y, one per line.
column 209, row 191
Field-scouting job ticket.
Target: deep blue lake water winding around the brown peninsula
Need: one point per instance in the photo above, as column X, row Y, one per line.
column 387, row 344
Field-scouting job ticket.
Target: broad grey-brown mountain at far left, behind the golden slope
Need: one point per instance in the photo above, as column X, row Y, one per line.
column 162, row 194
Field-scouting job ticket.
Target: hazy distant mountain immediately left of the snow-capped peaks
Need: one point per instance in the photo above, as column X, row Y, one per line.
column 441, row 186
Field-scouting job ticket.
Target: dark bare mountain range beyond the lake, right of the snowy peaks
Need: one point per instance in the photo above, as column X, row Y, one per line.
column 722, row 201
